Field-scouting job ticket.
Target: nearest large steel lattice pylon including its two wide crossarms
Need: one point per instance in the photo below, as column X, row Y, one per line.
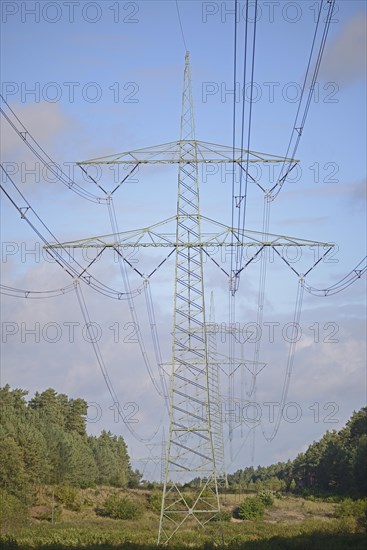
column 194, row 447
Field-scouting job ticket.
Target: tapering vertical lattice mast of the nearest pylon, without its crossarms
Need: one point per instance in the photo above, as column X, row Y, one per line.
column 190, row 447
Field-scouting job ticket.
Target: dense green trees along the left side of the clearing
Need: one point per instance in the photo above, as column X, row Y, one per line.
column 44, row 441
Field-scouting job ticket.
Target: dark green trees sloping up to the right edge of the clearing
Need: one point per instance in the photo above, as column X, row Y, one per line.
column 335, row 465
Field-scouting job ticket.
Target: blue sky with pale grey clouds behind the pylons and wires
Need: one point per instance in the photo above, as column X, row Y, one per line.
column 89, row 79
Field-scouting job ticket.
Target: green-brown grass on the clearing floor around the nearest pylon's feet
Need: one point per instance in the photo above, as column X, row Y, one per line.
column 290, row 523
